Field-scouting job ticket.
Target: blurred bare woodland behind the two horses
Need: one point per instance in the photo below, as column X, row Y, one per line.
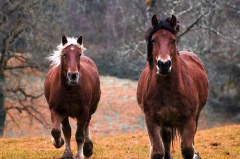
column 113, row 33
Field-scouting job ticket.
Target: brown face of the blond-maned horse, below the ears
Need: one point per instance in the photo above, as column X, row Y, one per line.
column 71, row 60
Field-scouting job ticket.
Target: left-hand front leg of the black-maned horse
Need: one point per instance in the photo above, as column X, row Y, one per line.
column 157, row 148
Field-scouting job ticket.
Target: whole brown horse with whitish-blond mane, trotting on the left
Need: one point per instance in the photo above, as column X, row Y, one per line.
column 72, row 89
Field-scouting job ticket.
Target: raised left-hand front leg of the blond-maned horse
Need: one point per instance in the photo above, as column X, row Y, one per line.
column 56, row 132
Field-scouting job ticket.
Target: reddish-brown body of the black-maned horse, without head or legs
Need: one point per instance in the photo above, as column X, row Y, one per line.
column 169, row 97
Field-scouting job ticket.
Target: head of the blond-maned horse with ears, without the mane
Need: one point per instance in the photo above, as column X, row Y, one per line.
column 71, row 60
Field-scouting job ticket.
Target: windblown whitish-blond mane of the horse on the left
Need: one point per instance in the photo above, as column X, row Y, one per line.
column 56, row 56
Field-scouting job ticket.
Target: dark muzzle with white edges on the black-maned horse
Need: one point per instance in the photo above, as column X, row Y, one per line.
column 164, row 67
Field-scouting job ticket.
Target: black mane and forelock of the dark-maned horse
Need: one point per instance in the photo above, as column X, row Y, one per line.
column 162, row 24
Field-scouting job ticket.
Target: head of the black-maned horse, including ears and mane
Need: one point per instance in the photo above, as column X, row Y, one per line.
column 161, row 38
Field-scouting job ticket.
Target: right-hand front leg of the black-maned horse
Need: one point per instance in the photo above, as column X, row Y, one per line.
column 188, row 138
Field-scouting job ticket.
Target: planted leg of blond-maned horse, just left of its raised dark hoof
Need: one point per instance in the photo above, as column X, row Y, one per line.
column 81, row 124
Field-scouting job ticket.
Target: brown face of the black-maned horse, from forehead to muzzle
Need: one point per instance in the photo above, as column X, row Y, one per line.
column 164, row 48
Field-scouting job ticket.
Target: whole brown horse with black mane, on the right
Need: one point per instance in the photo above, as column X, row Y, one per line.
column 172, row 90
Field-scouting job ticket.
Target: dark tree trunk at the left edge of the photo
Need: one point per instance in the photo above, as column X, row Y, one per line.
column 2, row 108
